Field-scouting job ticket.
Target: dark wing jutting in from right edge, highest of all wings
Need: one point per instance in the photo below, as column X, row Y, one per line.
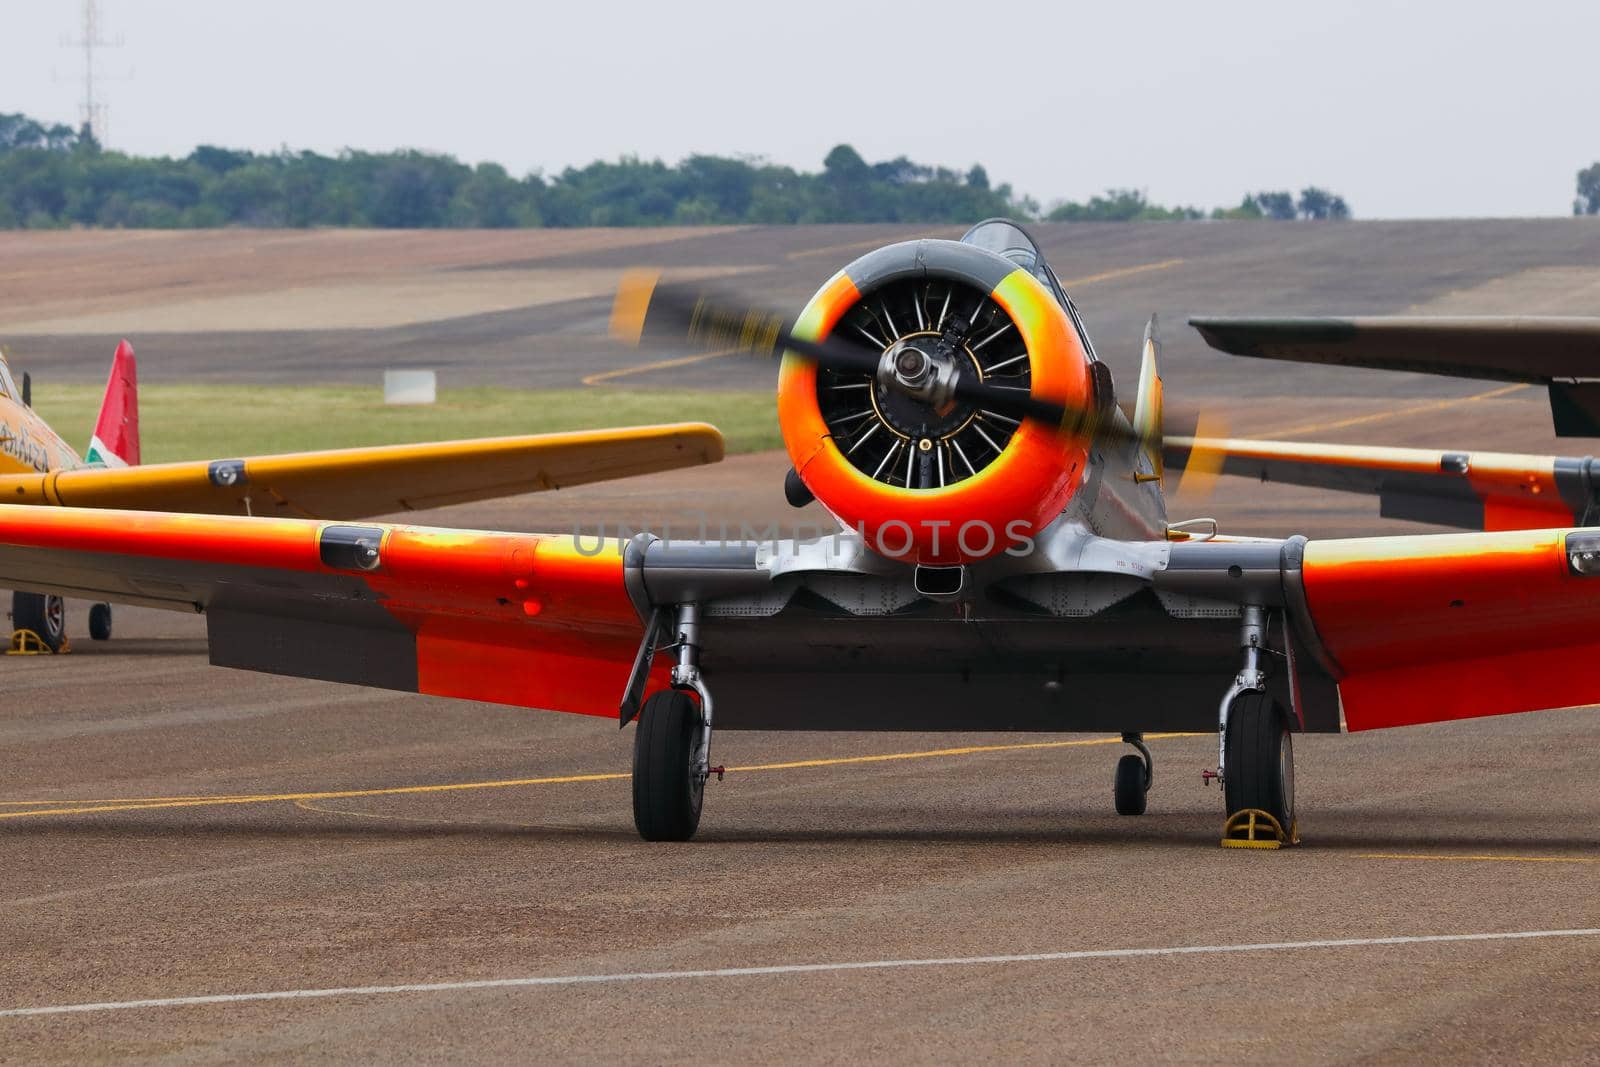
column 1561, row 353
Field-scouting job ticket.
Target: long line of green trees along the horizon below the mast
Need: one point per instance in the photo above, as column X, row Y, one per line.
column 57, row 177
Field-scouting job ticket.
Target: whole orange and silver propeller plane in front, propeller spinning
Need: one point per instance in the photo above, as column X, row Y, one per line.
column 1004, row 562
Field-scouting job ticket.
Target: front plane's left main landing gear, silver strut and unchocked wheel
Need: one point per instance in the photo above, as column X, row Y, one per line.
column 673, row 746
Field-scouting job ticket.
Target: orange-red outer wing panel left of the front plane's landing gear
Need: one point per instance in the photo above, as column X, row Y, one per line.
column 527, row 620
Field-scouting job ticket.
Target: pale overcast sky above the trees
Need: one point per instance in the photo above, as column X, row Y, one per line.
column 1407, row 110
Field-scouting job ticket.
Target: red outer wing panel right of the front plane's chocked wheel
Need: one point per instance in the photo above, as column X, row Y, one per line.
column 1454, row 626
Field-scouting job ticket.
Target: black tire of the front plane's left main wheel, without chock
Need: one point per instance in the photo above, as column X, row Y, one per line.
column 668, row 791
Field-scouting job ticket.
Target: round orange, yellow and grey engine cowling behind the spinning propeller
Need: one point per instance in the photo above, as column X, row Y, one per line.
column 938, row 487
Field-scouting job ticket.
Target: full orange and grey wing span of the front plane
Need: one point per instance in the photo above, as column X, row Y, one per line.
column 1087, row 634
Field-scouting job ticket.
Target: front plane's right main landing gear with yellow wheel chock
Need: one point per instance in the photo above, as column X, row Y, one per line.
column 1255, row 751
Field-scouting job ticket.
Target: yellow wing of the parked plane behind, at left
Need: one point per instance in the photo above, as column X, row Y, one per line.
column 356, row 482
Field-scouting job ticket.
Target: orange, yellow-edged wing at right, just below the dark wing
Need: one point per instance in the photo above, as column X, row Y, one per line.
column 1452, row 489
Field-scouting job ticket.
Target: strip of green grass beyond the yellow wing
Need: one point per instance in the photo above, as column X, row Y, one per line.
column 217, row 422
